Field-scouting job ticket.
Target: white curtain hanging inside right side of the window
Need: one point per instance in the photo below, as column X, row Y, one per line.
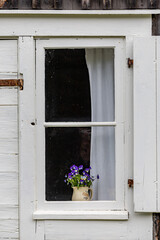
column 100, row 64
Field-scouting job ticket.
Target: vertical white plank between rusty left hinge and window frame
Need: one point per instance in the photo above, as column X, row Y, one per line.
column 26, row 61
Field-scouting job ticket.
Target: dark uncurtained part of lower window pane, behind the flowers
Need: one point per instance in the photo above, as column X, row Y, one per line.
column 64, row 147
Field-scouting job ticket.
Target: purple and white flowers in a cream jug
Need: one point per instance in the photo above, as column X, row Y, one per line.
column 81, row 181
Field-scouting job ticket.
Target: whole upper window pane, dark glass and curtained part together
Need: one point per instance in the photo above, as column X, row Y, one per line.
column 79, row 85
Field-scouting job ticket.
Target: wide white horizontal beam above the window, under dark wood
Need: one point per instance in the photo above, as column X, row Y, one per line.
column 75, row 26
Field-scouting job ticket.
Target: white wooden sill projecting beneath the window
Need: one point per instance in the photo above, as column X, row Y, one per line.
column 80, row 215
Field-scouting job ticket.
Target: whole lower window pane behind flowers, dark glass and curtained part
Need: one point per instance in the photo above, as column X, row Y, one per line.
column 93, row 147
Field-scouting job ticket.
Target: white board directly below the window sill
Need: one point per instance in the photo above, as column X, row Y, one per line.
column 95, row 230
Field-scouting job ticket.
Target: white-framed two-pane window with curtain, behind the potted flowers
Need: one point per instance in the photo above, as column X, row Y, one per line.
column 80, row 120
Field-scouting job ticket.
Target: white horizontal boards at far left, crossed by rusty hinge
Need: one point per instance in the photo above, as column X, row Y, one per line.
column 8, row 143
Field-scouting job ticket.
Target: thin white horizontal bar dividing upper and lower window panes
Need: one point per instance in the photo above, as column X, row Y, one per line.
column 78, row 124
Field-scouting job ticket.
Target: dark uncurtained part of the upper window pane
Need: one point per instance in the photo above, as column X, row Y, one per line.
column 67, row 89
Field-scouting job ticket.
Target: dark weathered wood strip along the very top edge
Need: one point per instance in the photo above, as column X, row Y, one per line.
column 79, row 4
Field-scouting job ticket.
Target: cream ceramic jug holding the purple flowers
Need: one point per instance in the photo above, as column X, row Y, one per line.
column 82, row 194
